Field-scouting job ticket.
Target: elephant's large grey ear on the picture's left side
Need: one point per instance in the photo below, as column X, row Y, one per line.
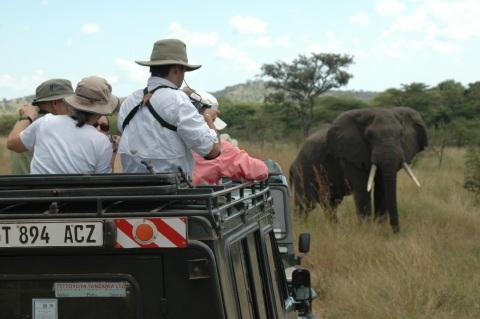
column 346, row 138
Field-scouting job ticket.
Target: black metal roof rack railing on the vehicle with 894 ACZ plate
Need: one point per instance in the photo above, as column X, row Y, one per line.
column 100, row 196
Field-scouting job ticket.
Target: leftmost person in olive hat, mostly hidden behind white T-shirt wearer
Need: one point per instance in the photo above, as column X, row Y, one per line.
column 48, row 99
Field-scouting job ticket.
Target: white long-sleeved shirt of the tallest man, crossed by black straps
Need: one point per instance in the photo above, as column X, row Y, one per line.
column 145, row 139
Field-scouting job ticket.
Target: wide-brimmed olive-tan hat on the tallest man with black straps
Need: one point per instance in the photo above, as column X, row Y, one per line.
column 168, row 52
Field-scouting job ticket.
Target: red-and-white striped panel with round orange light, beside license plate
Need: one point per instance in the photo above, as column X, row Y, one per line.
column 155, row 232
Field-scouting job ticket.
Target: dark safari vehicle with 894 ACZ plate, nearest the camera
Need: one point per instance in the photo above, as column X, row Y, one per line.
column 142, row 246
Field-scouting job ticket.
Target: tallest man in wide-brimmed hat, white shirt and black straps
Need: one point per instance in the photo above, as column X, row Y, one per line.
column 160, row 126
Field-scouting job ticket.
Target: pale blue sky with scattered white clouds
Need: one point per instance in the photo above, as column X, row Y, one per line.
column 392, row 41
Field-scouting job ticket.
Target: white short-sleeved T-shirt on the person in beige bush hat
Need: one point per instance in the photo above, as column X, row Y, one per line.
column 60, row 147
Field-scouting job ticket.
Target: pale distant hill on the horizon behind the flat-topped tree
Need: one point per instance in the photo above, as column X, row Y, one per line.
column 255, row 91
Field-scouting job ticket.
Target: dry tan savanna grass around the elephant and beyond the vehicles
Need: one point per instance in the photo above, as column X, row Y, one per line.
column 431, row 269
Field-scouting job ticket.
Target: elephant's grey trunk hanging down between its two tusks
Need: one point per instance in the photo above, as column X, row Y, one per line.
column 389, row 174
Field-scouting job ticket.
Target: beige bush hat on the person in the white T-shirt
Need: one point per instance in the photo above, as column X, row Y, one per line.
column 94, row 95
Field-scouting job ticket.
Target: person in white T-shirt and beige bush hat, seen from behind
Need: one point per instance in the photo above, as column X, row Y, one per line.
column 70, row 144
